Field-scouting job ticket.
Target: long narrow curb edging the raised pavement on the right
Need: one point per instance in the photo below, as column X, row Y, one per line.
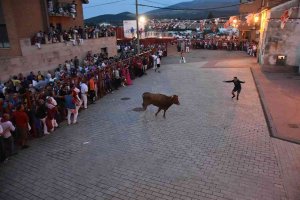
column 271, row 125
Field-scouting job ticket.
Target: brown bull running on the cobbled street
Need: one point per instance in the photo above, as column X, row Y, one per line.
column 161, row 101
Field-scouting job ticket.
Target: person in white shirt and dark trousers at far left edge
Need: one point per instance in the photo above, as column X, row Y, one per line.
column 7, row 127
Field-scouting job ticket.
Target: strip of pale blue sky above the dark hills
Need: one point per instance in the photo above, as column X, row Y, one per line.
column 101, row 7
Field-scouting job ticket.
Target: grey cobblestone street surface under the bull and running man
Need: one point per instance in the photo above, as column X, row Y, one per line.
column 209, row 147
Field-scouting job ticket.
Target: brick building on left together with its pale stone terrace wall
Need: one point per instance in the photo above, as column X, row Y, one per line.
column 20, row 21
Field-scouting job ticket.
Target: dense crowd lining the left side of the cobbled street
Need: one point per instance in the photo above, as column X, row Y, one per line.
column 35, row 105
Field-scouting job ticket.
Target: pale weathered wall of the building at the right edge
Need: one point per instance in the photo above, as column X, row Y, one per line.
column 276, row 41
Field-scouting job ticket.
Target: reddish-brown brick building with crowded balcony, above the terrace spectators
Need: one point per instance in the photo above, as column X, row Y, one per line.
column 23, row 19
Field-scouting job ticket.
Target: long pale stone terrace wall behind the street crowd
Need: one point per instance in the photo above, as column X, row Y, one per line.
column 51, row 55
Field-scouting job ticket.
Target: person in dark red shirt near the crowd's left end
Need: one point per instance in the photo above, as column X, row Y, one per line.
column 21, row 120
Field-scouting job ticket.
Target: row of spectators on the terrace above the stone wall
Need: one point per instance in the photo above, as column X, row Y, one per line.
column 75, row 35
